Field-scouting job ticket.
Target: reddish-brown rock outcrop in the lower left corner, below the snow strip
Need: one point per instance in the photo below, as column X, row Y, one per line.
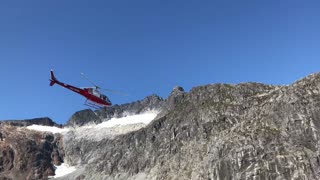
column 26, row 154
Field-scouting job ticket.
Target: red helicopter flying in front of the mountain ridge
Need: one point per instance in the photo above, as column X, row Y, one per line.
column 95, row 99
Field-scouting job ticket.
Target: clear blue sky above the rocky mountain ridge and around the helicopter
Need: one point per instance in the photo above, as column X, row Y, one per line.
column 146, row 47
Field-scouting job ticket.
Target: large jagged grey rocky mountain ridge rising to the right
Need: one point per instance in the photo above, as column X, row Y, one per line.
column 217, row 131
